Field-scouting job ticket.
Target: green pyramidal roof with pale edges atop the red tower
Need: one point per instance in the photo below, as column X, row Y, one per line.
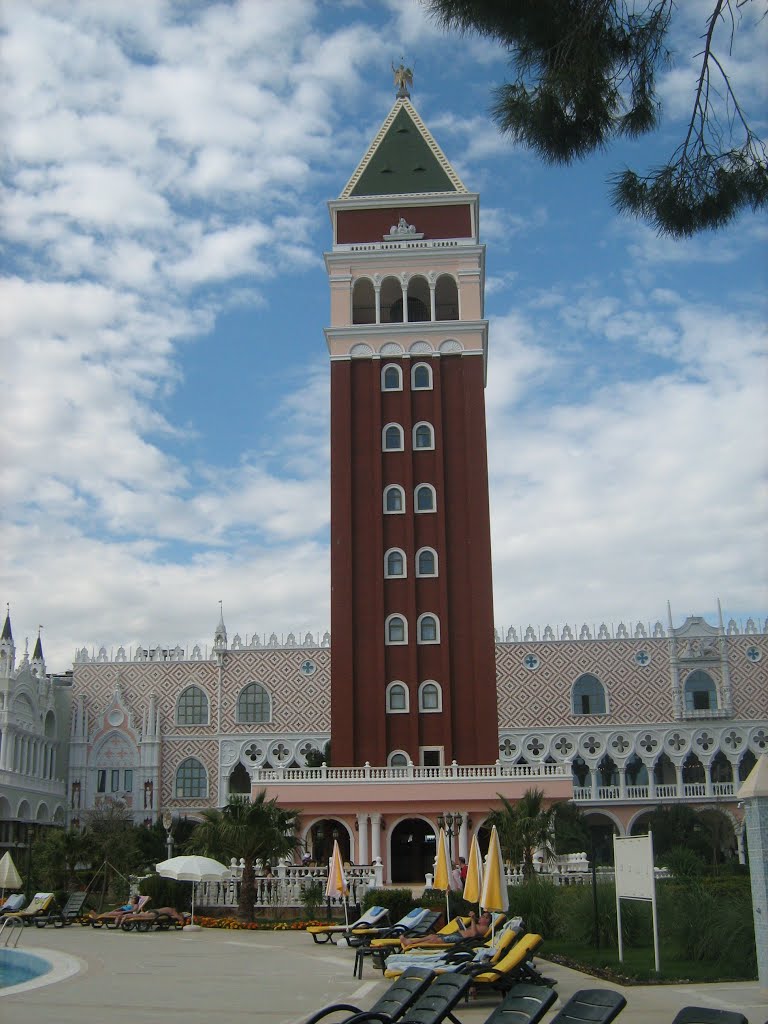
column 404, row 159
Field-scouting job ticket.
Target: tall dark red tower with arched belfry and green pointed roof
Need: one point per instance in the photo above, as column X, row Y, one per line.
column 413, row 666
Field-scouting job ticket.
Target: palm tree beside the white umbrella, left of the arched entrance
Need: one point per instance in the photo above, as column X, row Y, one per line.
column 254, row 830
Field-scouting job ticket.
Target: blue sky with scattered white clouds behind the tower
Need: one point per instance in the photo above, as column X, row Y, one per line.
column 165, row 375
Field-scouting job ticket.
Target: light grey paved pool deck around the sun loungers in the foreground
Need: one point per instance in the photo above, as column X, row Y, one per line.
column 271, row 978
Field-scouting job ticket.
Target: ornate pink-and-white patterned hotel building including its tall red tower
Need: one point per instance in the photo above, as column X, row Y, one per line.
column 428, row 711
